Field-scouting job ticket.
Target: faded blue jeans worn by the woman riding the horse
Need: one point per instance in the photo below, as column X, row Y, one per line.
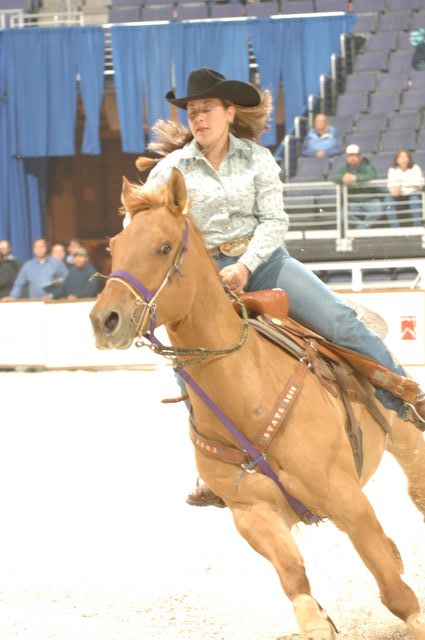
column 316, row 306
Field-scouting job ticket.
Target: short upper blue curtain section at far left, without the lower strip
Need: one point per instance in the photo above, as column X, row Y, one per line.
column 41, row 77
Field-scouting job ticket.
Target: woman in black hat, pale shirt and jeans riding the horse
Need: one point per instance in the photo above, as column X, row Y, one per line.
column 237, row 202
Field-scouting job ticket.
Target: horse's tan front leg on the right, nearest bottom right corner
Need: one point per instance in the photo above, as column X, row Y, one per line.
column 350, row 511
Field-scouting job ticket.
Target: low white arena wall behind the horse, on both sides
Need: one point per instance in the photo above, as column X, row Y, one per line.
column 58, row 335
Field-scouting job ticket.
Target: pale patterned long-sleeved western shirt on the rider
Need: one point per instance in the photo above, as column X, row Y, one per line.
column 243, row 198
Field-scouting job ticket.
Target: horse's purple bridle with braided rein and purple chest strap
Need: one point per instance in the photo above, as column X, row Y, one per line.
column 145, row 300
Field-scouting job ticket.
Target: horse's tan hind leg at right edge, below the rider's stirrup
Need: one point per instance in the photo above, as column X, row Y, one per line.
column 407, row 445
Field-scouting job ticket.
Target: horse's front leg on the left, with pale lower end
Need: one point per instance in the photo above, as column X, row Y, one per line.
column 266, row 531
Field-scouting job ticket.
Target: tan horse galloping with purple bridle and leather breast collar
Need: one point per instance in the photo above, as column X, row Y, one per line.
column 161, row 267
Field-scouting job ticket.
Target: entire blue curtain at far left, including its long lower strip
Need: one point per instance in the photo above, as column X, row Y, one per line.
column 38, row 97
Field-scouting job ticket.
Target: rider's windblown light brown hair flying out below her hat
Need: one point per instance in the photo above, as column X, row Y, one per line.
column 249, row 122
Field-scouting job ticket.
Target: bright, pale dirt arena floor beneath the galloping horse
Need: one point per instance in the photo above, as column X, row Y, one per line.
column 97, row 543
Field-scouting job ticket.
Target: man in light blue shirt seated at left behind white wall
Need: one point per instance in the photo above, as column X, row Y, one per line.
column 39, row 273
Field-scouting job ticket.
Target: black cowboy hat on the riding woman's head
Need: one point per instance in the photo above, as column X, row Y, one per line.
column 207, row 83
